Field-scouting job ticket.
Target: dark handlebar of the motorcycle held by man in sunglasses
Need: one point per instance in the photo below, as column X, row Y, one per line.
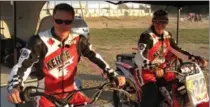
column 28, row 94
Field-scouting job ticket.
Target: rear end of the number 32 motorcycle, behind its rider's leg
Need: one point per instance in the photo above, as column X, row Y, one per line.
column 126, row 66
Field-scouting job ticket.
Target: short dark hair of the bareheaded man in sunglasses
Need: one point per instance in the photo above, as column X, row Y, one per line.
column 64, row 7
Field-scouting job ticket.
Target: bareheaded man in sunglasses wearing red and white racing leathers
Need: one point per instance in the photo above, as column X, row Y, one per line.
column 57, row 52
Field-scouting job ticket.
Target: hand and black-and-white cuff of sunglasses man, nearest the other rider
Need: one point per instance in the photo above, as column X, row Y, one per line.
column 115, row 77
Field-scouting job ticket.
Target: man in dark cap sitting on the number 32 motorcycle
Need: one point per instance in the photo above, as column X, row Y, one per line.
column 155, row 44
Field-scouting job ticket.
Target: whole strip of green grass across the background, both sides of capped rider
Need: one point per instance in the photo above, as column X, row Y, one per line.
column 131, row 35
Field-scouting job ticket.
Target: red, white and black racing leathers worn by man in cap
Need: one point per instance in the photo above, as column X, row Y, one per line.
column 155, row 49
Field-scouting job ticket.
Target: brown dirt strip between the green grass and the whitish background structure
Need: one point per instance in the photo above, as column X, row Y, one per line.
column 141, row 22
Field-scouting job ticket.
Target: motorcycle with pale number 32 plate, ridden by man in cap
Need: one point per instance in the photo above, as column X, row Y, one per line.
column 189, row 75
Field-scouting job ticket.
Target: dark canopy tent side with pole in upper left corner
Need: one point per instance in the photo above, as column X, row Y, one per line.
column 20, row 19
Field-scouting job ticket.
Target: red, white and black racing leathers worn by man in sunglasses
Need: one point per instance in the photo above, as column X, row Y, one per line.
column 56, row 64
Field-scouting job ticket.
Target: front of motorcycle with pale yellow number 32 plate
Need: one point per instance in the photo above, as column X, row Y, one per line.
column 195, row 83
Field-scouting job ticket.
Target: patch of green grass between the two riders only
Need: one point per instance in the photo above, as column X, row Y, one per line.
column 114, row 36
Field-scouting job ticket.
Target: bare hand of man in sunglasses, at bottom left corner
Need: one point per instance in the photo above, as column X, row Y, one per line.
column 14, row 96
